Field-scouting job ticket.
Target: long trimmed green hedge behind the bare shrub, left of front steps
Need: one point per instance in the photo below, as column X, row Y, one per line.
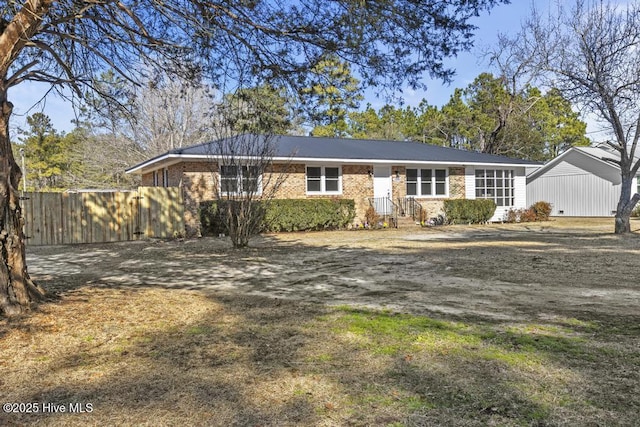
column 288, row 215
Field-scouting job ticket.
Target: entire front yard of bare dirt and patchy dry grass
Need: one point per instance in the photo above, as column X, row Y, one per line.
column 194, row 332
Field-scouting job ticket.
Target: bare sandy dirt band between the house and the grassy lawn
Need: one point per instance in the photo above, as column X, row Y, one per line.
column 524, row 271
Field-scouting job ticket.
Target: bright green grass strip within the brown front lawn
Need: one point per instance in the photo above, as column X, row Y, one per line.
column 392, row 334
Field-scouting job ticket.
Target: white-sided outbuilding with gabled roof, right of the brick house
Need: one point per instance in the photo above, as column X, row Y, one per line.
column 580, row 182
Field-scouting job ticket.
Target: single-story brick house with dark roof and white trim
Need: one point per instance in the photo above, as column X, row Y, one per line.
column 362, row 170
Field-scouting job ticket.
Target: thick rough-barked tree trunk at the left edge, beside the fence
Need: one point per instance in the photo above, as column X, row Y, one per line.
column 17, row 291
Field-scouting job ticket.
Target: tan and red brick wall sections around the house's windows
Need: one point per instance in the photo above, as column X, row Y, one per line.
column 199, row 183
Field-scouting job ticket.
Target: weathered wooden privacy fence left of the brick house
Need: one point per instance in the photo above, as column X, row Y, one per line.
column 96, row 217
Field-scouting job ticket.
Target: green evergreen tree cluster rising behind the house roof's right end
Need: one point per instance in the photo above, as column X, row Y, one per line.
column 487, row 117
